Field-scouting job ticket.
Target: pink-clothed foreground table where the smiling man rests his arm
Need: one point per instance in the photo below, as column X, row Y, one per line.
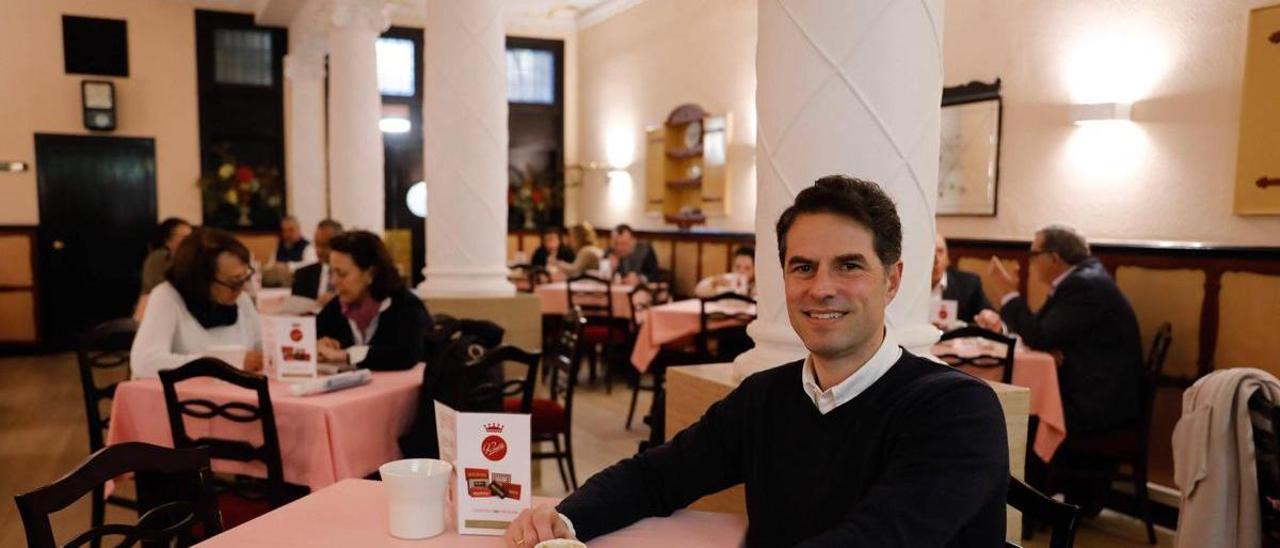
column 354, row 514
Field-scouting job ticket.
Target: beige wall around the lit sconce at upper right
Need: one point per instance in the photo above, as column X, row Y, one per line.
column 1167, row 177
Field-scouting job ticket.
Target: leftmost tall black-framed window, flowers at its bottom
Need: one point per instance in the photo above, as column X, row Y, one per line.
column 240, row 71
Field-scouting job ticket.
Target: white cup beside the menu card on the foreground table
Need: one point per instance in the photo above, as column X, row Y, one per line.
column 415, row 496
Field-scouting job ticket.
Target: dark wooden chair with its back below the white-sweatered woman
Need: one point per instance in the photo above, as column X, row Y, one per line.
column 244, row 499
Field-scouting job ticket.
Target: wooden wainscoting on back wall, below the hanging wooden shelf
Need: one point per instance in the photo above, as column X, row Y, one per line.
column 689, row 255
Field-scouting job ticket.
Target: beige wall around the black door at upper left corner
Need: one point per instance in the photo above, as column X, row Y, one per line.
column 157, row 101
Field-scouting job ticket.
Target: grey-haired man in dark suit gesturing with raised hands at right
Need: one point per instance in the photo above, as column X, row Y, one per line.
column 1087, row 321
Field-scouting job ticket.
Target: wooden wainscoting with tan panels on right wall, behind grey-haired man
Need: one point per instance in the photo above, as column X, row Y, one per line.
column 1224, row 304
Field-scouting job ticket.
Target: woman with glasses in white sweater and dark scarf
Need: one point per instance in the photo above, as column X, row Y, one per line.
column 202, row 309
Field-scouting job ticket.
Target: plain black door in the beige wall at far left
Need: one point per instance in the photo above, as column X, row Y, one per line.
column 98, row 205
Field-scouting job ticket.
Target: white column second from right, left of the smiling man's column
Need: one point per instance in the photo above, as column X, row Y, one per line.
column 465, row 158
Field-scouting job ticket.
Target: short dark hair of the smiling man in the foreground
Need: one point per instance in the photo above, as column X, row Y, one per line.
column 862, row 202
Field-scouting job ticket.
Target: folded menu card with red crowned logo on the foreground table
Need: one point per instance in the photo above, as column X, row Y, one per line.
column 491, row 456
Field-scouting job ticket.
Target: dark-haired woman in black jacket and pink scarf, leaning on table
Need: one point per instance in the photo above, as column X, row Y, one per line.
column 376, row 323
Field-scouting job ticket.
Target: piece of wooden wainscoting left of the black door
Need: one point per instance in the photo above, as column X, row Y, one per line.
column 20, row 289
